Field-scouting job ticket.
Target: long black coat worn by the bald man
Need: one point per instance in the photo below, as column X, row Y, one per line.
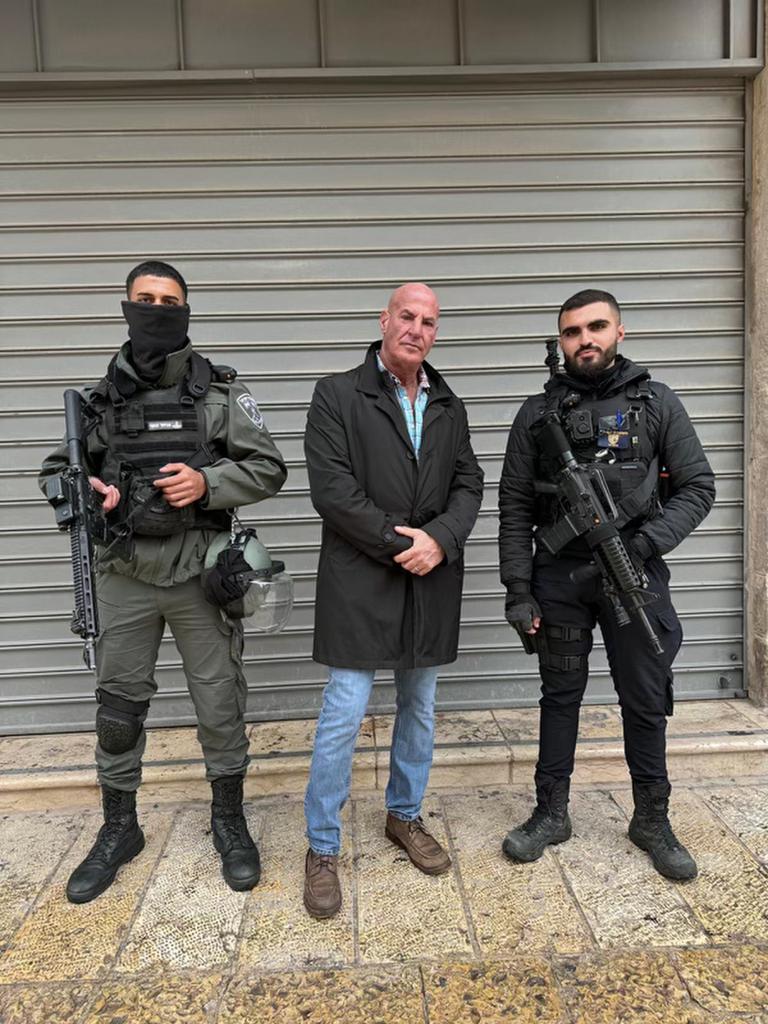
column 365, row 480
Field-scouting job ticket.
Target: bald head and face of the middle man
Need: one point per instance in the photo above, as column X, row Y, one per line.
column 409, row 326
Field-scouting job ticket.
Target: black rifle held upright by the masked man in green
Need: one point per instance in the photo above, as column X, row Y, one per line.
column 78, row 511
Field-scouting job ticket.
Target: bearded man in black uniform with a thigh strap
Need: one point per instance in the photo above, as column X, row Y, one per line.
column 638, row 433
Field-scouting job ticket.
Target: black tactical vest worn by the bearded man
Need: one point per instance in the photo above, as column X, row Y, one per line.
column 614, row 433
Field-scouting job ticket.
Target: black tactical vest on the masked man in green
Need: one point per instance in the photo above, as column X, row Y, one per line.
column 147, row 429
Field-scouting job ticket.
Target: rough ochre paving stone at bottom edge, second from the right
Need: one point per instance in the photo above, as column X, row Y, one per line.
column 627, row 989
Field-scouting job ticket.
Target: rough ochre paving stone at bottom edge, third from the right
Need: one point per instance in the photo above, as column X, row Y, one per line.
column 491, row 993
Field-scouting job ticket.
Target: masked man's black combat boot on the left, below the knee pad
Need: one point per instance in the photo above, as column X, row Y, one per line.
column 119, row 840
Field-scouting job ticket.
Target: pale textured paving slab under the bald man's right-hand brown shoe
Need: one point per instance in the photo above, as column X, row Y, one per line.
column 404, row 914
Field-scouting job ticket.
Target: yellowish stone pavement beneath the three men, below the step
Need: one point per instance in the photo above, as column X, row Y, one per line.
column 589, row 934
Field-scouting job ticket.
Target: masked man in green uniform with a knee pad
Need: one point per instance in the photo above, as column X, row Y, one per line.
column 174, row 445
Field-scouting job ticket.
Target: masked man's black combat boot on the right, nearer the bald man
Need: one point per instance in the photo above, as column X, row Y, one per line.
column 240, row 859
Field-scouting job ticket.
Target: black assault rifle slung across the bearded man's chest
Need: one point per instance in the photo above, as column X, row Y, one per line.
column 589, row 511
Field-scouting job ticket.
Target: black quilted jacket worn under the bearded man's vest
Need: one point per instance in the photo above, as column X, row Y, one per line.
column 692, row 483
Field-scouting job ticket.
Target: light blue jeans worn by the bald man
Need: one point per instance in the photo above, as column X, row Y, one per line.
column 345, row 704
